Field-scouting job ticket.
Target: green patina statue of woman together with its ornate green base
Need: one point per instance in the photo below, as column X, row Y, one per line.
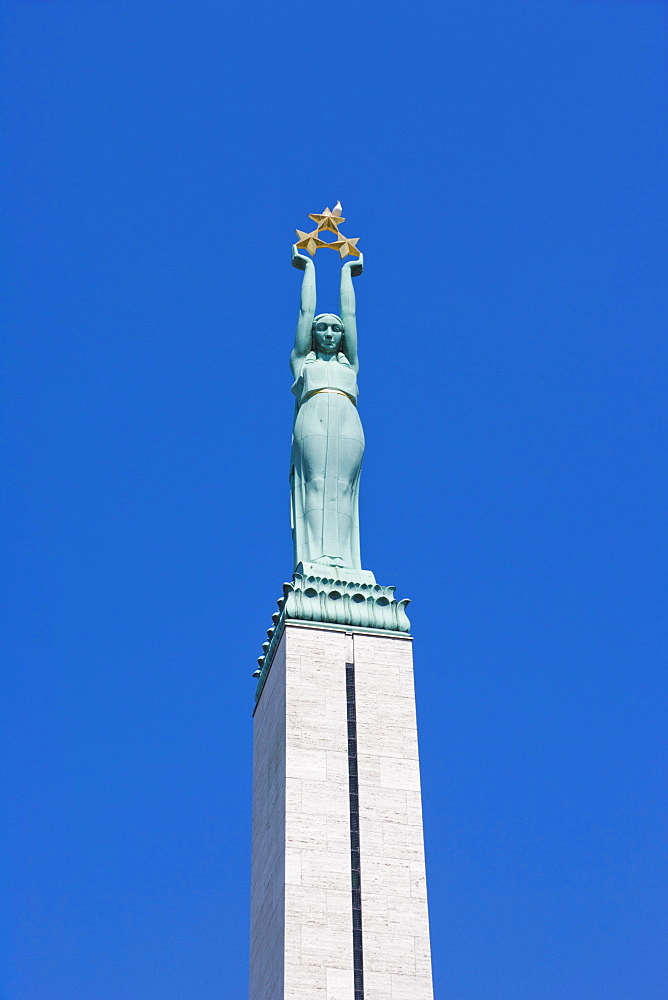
column 329, row 585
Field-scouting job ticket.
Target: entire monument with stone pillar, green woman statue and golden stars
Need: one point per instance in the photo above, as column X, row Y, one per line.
column 338, row 888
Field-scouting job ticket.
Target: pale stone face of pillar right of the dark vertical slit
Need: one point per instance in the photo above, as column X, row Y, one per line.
column 395, row 923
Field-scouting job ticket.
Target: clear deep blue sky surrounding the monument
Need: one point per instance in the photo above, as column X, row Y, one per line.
column 504, row 163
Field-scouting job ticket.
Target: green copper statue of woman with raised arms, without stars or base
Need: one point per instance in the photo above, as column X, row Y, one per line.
column 327, row 438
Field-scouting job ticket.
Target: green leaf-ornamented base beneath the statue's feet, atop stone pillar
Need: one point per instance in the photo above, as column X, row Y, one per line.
column 336, row 598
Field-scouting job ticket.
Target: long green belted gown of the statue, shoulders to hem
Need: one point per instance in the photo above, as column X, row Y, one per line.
column 327, row 450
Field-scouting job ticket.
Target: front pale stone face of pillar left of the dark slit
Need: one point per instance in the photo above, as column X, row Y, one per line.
column 317, row 831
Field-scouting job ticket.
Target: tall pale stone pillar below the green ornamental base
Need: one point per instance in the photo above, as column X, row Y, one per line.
column 338, row 904
